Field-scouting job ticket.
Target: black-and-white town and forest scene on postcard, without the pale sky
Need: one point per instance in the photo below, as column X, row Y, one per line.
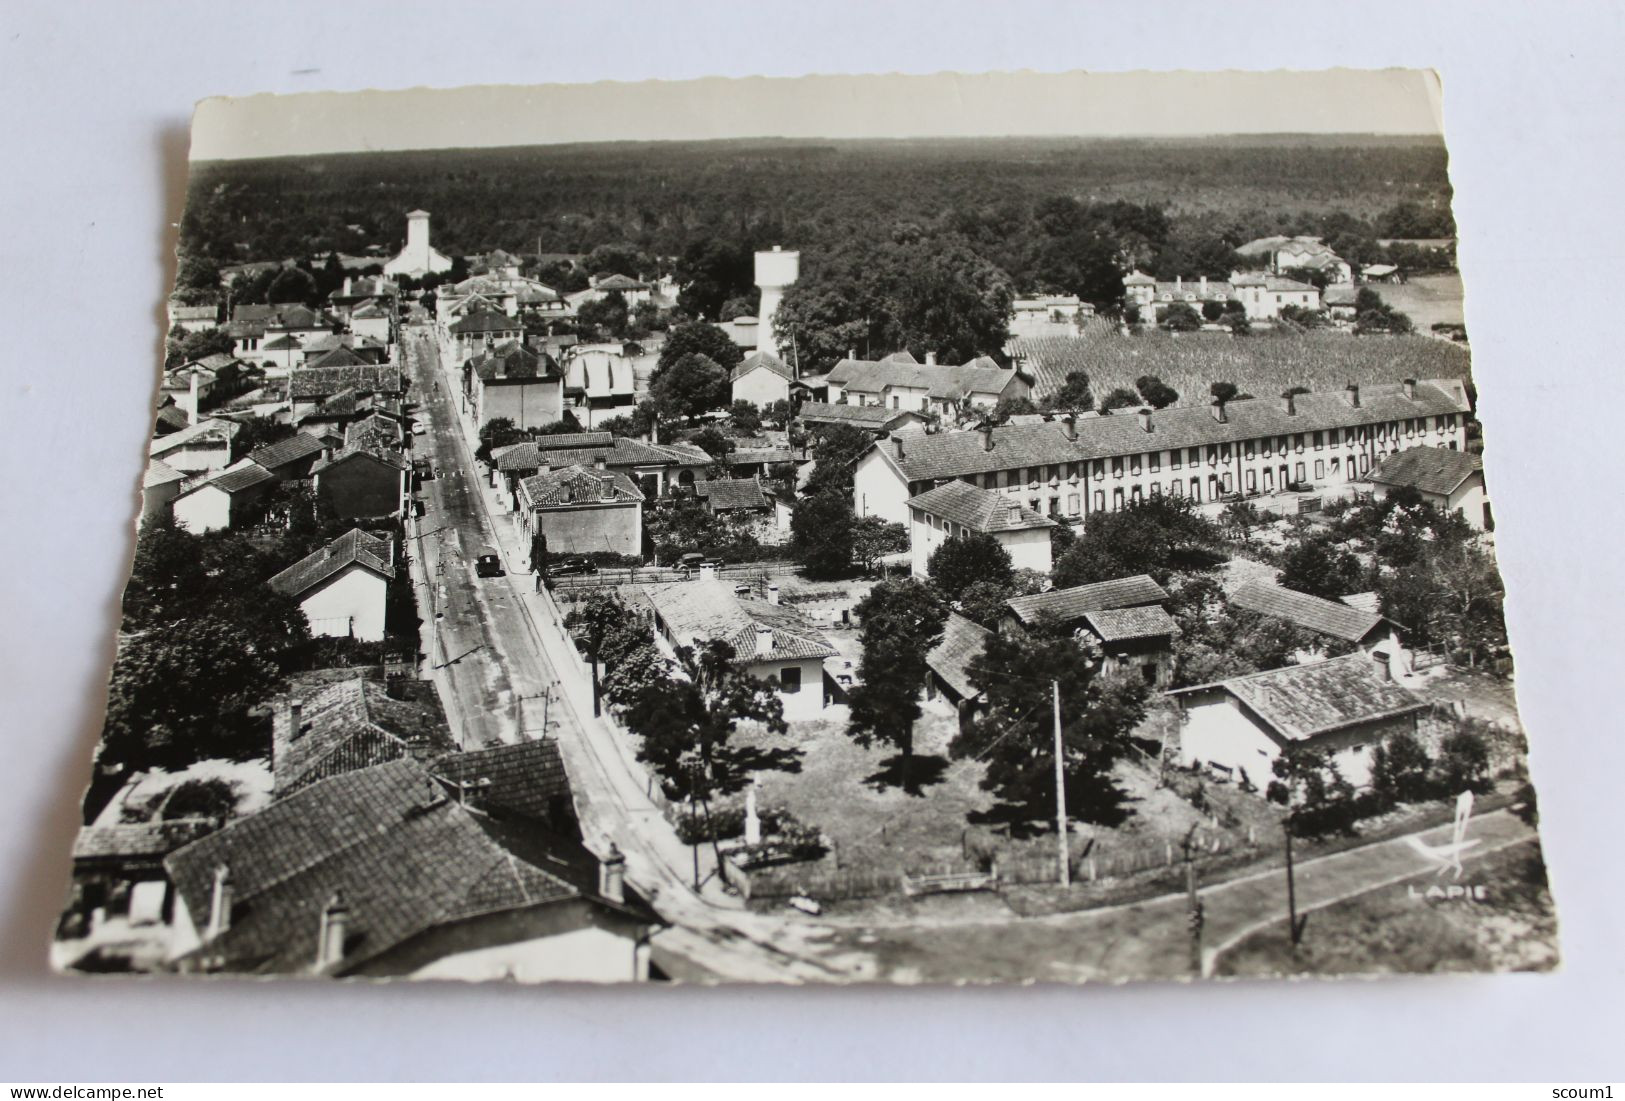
column 921, row 561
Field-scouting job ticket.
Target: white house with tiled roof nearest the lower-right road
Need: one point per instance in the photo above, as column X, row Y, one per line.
column 1345, row 707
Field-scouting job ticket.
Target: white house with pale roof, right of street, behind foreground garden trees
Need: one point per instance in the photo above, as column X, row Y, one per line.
column 771, row 642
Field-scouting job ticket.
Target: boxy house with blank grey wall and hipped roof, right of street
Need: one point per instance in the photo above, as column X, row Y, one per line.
column 584, row 511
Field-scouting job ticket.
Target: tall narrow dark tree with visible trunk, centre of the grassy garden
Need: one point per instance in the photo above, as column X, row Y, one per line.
column 903, row 621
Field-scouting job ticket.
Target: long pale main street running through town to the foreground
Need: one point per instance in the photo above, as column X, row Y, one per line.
column 496, row 655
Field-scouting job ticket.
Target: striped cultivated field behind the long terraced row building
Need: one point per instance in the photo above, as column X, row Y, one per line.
column 1262, row 365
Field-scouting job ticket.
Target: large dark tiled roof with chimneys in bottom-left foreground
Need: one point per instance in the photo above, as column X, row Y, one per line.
column 389, row 840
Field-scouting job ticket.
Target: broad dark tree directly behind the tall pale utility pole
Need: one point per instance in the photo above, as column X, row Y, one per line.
column 1015, row 732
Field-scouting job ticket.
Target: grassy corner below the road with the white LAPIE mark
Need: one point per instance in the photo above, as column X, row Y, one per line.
column 1514, row 928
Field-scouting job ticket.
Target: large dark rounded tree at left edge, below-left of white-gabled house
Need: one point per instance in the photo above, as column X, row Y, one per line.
column 181, row 696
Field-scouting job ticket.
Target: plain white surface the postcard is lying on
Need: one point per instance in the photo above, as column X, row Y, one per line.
column 97, row 100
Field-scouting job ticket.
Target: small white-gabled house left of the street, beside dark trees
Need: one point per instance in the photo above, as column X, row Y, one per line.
column 344, row 587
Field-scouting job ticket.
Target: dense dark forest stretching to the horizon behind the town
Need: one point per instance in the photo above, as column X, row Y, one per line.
column 667, row 197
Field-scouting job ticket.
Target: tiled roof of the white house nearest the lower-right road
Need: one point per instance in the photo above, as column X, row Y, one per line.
column 1301, row 702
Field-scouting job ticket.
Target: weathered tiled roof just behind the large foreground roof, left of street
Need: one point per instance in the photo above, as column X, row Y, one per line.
column 347, row 727
